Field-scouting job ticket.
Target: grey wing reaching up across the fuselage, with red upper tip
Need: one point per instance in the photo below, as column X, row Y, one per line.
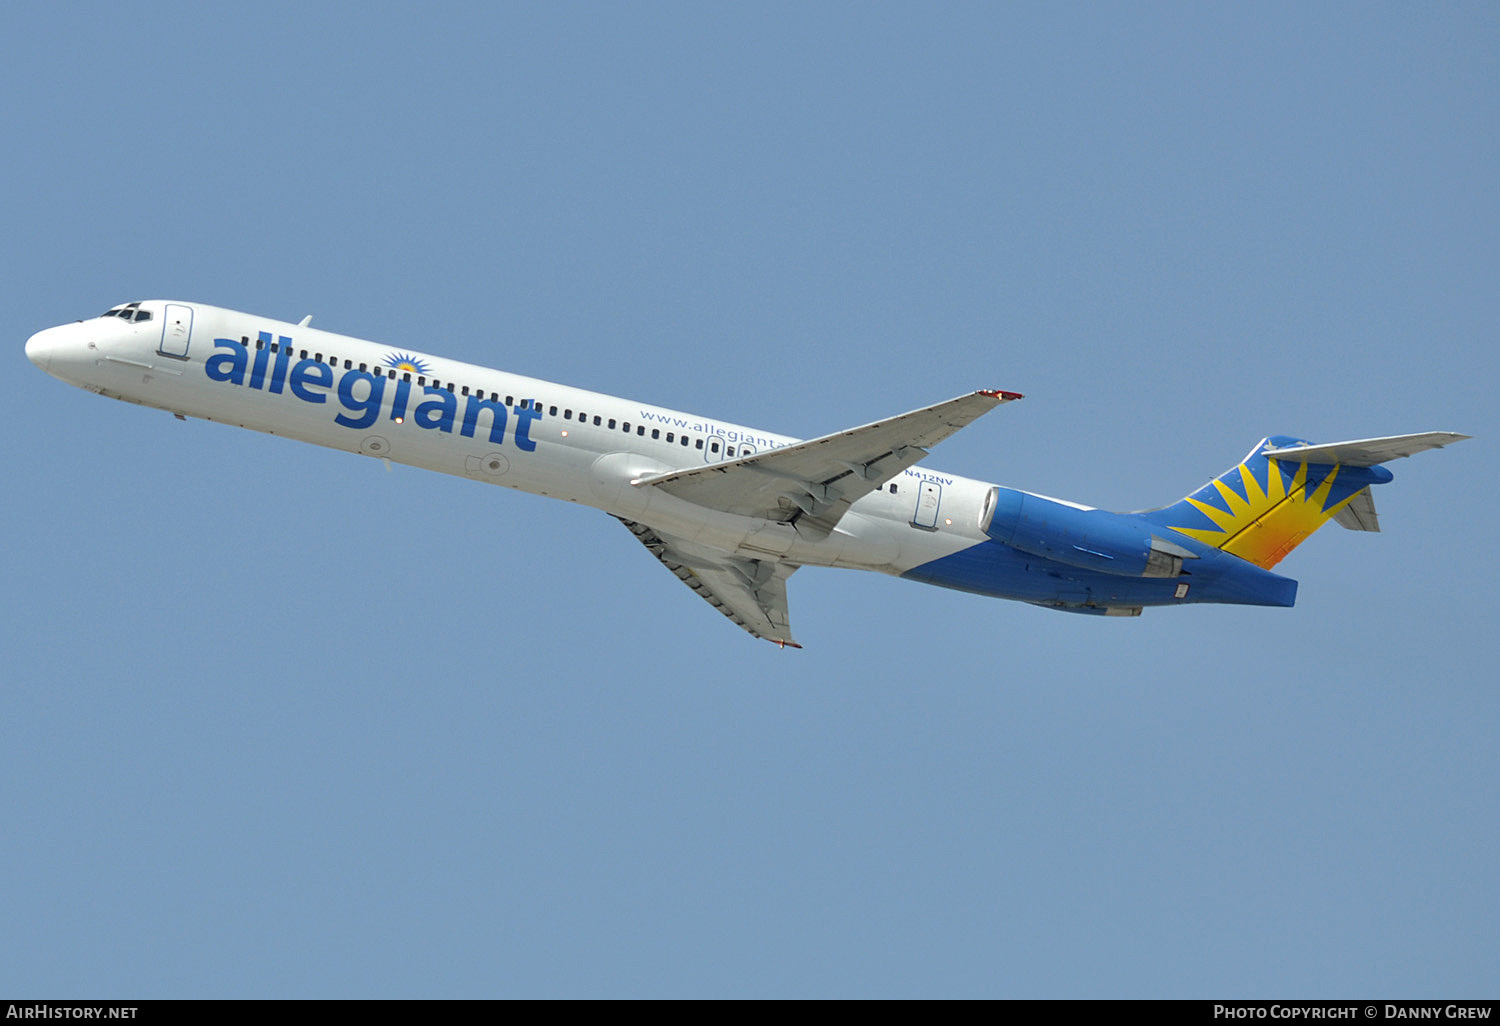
column 811, row 485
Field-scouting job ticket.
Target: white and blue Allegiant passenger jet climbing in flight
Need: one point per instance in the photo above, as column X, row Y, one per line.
column 731, row 511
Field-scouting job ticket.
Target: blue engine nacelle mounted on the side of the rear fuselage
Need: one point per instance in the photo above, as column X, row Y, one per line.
column 1088, row 539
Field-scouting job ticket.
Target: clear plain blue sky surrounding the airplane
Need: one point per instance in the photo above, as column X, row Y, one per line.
column 280, row 724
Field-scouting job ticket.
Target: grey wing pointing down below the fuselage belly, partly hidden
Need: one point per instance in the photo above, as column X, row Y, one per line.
column 752, row 593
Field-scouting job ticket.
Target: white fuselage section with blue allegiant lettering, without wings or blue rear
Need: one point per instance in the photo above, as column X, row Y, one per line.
column 421, row 410
